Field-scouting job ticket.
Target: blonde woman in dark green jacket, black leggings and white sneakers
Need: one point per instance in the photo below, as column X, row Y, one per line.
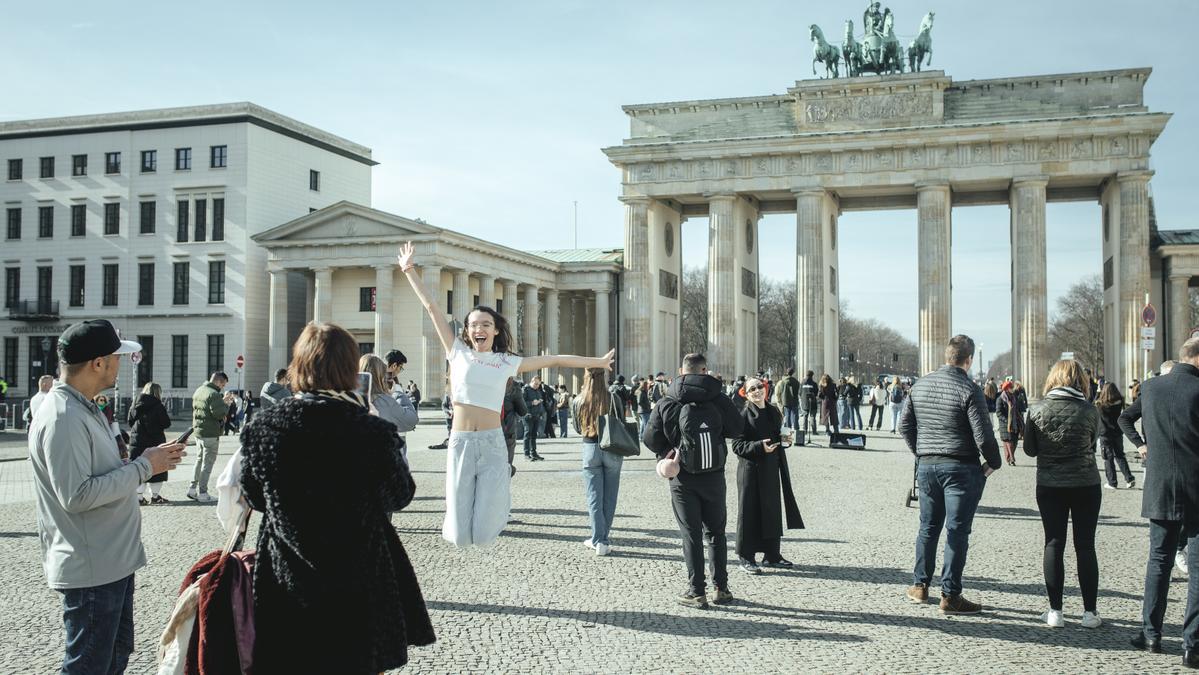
column 1061, row 433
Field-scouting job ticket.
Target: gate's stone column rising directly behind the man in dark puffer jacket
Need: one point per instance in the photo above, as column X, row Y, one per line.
column 935, row 230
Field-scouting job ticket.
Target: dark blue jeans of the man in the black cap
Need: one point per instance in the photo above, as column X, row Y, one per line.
column 99, row 623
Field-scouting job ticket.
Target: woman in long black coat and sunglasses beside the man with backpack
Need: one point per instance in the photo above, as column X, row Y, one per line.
column 764, row 485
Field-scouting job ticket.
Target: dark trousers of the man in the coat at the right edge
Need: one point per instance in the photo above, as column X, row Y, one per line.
column 1164, row 544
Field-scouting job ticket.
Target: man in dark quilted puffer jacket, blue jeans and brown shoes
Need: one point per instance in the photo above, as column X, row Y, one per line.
column 947, row 426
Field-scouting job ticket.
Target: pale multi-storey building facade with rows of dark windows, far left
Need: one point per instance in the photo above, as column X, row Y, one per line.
column 264, row 182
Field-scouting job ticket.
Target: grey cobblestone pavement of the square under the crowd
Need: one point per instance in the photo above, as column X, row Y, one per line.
column 541, row 602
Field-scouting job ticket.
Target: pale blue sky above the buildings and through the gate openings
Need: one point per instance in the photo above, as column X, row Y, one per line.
column 490, row 118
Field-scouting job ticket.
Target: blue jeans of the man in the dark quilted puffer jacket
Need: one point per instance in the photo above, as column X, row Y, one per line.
column 949, row 498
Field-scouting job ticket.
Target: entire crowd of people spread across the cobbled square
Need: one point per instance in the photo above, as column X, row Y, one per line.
column 330, row 570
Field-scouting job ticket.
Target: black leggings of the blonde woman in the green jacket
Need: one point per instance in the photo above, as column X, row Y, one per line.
column 1059, row 507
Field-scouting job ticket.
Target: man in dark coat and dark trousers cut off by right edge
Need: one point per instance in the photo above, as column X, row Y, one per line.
column 1168, row 409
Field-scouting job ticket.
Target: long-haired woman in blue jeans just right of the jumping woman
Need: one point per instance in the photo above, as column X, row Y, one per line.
column 601, row 469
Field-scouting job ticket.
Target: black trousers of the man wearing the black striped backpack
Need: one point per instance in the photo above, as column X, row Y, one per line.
column 698, row 503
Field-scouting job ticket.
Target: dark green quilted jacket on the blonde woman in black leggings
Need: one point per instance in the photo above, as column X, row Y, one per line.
column 1061, row 433
